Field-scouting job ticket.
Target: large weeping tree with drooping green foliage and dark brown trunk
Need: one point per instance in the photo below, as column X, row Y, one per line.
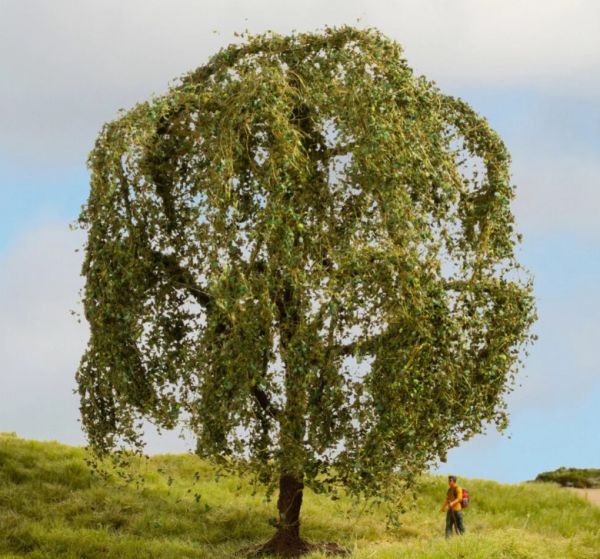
column 304, row 253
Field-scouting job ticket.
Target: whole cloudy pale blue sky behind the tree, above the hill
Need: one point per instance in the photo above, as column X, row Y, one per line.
column 532, row 67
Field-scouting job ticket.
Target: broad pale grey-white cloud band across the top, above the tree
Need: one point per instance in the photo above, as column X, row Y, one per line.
column 67, row 65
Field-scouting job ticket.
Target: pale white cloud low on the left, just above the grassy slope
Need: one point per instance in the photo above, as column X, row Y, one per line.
column 41, row 342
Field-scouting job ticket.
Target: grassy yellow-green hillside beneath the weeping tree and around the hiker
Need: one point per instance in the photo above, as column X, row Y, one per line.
column 51, row 507
